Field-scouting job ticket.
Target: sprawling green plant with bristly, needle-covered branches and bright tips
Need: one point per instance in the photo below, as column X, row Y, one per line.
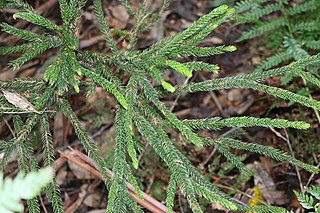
column 140, row 109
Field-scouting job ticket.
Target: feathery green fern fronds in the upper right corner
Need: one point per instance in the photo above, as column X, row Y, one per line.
column 292, row 29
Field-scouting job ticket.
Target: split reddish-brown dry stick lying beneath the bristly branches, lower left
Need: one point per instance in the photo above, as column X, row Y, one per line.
column 86, row 163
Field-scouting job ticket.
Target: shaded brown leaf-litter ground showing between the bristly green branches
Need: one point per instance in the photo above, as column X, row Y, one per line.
column 82, row 192
